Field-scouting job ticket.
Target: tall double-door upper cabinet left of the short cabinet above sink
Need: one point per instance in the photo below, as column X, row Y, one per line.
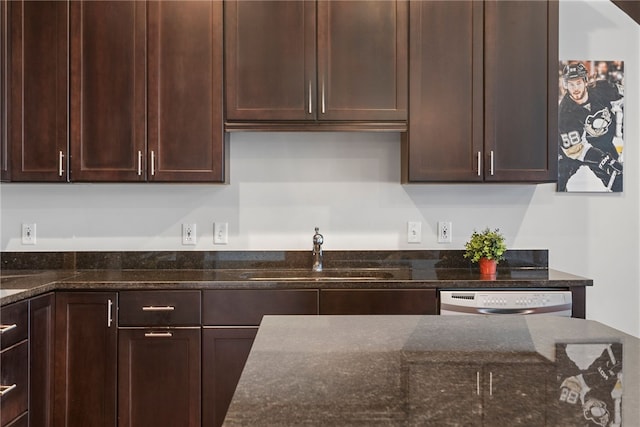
column 146, row 91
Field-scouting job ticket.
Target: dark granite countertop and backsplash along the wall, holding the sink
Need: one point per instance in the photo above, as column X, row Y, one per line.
column 24, row 275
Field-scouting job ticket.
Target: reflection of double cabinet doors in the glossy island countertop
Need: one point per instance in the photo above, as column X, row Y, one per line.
column 477, row 395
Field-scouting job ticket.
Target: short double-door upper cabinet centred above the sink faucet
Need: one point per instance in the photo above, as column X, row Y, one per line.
column 311, row 62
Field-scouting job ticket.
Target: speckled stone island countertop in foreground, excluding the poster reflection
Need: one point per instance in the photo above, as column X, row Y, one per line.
column 394, row 370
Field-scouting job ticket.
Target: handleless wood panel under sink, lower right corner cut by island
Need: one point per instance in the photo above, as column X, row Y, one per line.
column 227, row 307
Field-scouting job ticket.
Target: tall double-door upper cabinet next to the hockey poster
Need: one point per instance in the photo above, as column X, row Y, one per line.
column 484, row 98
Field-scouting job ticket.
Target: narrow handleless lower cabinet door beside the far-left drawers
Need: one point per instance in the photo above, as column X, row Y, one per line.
column 41, row 350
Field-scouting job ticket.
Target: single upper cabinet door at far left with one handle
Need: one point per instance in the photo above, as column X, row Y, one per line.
column 38, row 100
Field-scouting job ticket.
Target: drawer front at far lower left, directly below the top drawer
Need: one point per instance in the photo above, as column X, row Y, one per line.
column 14, row 378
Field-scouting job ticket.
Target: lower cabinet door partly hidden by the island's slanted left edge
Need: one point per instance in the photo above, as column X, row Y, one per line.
column 224, row 354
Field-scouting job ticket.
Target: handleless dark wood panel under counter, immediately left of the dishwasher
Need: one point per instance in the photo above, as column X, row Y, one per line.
column 378, row 301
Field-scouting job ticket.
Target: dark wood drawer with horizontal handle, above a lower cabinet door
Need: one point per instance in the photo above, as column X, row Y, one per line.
column 159, row 308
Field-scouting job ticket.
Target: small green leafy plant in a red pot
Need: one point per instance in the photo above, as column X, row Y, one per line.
column 487, row 248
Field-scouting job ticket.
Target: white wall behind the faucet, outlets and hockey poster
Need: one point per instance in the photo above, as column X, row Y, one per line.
column 284, row 184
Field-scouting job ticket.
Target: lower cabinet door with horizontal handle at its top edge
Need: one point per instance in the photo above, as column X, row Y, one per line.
column 159, row 377
